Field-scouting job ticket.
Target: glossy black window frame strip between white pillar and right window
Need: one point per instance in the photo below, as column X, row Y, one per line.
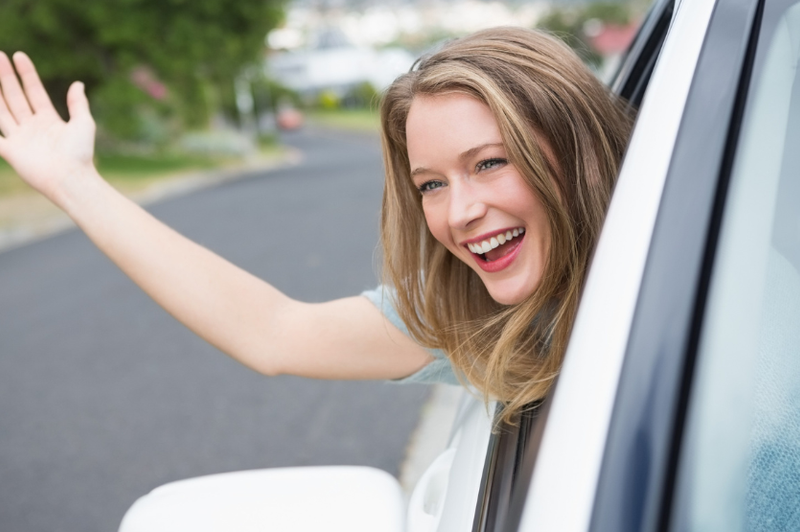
column 637, row 478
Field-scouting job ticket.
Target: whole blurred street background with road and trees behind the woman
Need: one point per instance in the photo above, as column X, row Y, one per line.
column 251, row 127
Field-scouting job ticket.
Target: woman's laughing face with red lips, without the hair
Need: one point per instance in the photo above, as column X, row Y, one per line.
column 476, row 203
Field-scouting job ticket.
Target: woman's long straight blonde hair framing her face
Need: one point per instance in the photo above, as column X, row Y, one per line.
column 540, row 94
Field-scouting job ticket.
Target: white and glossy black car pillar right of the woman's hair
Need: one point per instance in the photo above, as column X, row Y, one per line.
column 611, row 442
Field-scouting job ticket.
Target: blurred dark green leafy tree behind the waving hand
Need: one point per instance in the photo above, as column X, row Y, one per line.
column 193, row 48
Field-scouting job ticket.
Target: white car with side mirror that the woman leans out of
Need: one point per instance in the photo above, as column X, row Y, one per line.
column 678, row 406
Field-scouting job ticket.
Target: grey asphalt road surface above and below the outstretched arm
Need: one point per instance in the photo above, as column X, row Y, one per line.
column 104, row 396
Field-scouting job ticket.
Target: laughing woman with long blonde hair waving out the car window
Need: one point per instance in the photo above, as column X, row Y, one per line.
column 501, row 150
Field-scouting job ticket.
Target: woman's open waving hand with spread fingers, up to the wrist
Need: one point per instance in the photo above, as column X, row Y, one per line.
column 44, row 150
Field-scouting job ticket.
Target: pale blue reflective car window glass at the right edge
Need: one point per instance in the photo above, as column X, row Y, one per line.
column 739, row 465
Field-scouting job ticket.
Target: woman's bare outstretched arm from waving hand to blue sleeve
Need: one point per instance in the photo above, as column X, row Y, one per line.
column 238, row 313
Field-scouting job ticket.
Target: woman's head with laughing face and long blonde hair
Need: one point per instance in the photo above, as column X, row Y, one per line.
column 501, row 152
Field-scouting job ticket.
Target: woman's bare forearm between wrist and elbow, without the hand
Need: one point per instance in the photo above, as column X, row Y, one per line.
column 228, row 307
